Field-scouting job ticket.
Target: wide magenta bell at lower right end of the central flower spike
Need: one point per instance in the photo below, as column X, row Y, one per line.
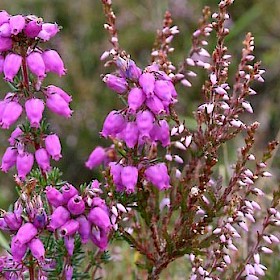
column 158, row 176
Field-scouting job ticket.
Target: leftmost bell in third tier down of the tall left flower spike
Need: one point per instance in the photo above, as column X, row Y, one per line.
column 10, row 114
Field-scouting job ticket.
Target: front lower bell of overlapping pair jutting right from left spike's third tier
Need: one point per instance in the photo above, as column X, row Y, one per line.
column 58, row 105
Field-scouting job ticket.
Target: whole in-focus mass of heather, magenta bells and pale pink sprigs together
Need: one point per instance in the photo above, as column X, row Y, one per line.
column 160, row 189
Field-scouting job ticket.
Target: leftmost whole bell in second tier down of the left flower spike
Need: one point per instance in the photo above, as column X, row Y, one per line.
column 12, row 65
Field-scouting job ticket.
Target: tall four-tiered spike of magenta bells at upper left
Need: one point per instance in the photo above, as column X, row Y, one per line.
column 25, row 65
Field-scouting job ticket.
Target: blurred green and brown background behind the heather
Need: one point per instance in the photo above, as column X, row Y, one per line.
column 82, row 40
